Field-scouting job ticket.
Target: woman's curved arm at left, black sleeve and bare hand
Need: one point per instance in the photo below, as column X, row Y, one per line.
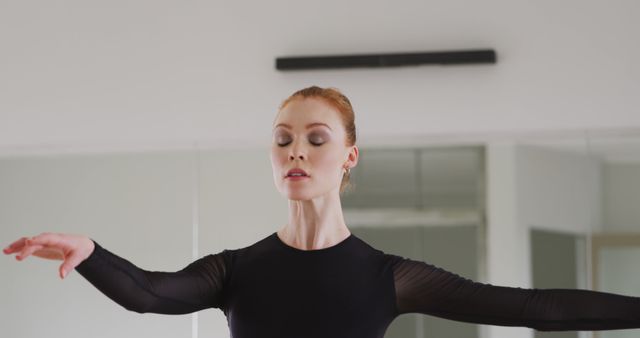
column 198, row 286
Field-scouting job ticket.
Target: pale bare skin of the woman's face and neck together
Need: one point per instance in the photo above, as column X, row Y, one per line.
column 315, row 212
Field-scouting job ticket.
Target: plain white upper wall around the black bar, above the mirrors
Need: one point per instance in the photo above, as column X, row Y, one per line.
column 78, row 74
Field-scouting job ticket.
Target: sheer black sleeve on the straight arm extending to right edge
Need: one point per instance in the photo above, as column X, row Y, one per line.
column 424, row 288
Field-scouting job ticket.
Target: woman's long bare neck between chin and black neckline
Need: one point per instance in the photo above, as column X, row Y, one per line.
column 315, row 224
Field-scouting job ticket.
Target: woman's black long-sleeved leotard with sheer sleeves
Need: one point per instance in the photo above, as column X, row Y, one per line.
column 350, row 290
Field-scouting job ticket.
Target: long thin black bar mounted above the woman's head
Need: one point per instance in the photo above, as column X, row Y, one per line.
column 386, row 60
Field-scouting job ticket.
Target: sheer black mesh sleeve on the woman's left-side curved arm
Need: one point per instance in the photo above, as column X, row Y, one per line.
column 198, row 286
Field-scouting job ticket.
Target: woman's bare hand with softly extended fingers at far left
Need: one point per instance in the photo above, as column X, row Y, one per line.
column 71, row 249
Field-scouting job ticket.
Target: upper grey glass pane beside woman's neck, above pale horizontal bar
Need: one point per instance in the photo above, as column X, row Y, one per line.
column 448, row 177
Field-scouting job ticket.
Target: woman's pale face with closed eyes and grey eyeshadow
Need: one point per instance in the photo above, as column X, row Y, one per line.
column 308, row 134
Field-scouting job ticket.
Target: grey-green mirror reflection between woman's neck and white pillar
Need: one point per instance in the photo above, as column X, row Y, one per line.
column 424, row 204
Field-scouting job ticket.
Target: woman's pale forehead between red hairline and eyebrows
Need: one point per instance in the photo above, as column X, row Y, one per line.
column 301, row 112
